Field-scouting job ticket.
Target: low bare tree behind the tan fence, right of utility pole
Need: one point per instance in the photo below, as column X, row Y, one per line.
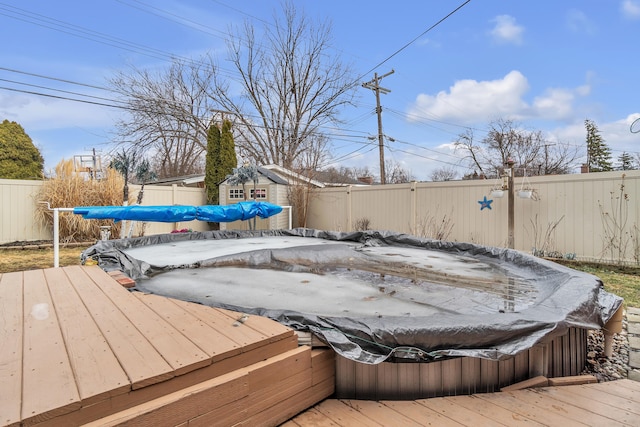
column 529, row 150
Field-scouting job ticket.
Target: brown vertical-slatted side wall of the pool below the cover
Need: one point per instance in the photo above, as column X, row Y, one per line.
column 564, row 355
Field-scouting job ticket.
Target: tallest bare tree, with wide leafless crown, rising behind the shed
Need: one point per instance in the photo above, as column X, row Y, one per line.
column 292, row 84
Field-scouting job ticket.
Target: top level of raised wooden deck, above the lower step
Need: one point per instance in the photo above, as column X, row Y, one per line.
column 113, row 349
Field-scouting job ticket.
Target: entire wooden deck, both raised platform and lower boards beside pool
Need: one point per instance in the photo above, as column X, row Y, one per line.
column 76, row 348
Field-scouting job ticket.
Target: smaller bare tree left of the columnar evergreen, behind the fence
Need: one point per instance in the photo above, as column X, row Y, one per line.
column 168, row 114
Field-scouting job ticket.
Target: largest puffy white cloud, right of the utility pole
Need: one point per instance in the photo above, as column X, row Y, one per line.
column 471, row 101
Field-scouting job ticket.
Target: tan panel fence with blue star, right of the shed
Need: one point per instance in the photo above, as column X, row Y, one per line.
column 595, row 219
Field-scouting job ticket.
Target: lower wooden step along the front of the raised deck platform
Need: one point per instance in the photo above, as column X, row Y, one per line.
column 264, row 393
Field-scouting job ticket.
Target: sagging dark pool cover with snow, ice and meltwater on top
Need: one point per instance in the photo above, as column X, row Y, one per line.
column 371, row 295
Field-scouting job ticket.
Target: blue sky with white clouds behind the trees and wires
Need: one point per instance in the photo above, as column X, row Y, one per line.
column 457, row 65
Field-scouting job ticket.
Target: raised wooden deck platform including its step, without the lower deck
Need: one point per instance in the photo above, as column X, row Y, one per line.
column 77, row 348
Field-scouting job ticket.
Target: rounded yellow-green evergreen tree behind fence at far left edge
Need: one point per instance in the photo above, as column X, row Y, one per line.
column 19, row 158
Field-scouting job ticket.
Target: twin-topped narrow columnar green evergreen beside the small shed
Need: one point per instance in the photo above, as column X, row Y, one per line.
column 220, row 161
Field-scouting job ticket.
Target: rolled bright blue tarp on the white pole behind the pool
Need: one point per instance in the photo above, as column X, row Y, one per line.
column 210, row 213
